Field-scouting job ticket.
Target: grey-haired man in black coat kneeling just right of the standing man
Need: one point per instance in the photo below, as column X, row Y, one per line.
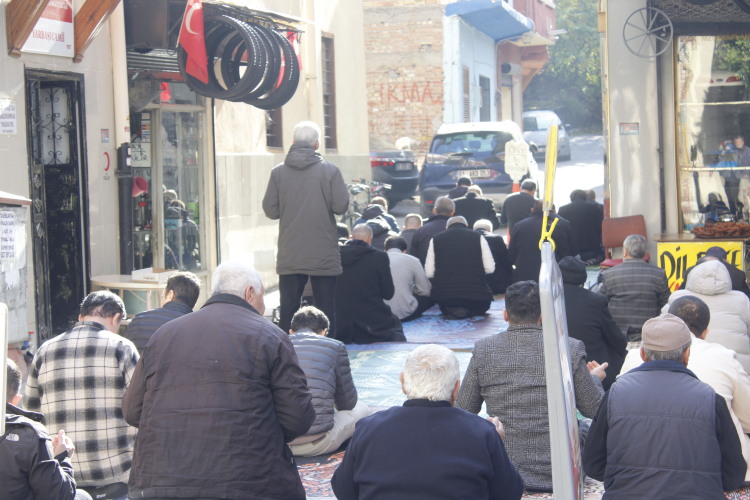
column 364, row 317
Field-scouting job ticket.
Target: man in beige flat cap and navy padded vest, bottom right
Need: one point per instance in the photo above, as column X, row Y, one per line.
column 662, row 433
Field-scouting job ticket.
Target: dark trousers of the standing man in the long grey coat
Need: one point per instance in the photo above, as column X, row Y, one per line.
column 291, row 287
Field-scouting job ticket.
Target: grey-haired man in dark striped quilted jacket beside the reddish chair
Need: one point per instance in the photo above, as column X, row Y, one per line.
column 636, row 289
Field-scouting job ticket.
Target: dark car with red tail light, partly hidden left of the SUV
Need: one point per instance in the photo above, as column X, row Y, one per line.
column 394, row 166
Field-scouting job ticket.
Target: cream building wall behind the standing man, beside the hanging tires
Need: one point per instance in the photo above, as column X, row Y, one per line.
column 244, row 163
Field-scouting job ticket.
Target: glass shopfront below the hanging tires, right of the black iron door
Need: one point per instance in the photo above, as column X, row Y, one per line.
column 167, row 155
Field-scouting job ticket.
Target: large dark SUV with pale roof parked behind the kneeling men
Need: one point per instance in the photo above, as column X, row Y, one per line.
column 476, row 150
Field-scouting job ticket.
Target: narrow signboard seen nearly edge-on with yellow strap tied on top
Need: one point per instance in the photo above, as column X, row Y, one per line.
column 565, row 448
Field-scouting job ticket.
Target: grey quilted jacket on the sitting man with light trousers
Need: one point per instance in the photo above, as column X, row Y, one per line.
column 329, row 378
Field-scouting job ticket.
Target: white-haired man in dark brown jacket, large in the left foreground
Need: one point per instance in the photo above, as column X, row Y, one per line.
column 216, row 396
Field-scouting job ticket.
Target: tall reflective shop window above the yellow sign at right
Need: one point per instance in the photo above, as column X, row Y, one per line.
column 713, row 126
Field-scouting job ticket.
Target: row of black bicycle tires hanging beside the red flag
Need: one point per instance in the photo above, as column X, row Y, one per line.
column 248, row 59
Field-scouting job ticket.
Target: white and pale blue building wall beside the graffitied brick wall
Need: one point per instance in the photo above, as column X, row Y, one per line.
column 465, row 46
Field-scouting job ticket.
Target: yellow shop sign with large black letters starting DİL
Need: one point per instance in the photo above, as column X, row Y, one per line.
column 676, row 258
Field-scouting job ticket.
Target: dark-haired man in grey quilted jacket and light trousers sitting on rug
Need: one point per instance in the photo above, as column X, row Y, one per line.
column 329, row 378
